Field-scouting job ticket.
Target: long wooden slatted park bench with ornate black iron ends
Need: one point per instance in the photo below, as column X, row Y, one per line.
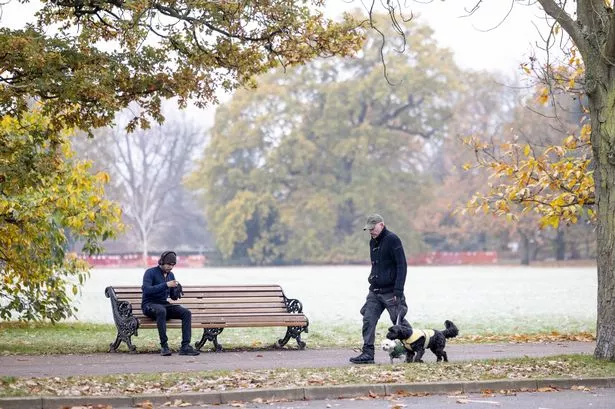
column 213, row 309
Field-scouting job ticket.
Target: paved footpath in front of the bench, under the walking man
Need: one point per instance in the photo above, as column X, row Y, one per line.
column 121, row 363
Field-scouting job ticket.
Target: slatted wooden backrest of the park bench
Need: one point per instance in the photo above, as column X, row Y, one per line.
column 218, row 300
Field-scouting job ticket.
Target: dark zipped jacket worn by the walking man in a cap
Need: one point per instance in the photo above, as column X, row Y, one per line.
column 388, row 263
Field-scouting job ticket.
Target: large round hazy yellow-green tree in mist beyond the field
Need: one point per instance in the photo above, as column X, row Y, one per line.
column 293, row 166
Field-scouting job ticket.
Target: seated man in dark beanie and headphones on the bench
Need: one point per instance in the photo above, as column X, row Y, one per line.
column 159, row 284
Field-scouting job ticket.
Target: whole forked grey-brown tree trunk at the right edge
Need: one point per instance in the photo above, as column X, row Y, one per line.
column 592, row 33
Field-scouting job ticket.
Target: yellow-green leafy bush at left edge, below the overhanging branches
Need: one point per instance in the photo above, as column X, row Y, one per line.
column 44, row 197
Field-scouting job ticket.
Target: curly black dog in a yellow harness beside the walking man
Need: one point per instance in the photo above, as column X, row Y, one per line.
column 417, row 340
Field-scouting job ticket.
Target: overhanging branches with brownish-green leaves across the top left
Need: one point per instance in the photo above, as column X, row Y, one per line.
column 90, row 59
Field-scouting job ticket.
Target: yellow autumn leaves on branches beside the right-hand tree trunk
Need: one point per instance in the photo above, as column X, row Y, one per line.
column 555, row 182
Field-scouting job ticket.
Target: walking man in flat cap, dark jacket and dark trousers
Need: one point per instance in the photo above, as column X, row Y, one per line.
column 386, row 284
